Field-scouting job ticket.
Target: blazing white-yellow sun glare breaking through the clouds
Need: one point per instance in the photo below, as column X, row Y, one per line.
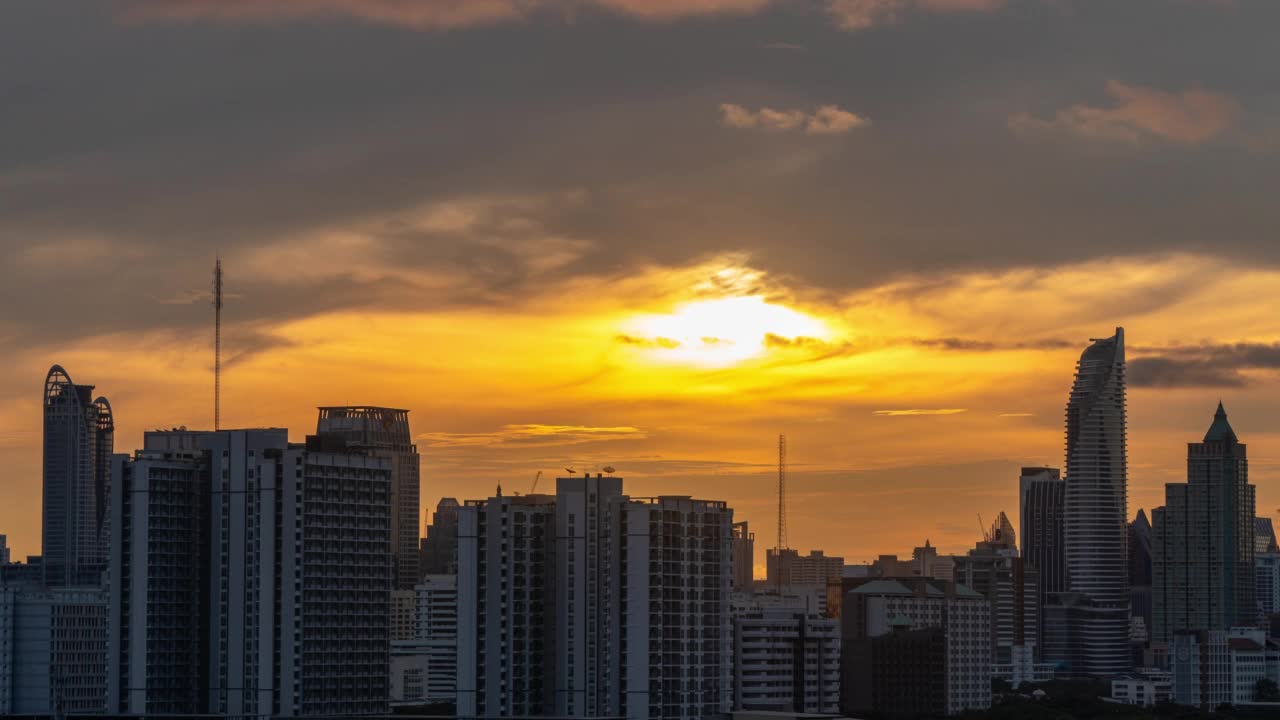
column 721, row 332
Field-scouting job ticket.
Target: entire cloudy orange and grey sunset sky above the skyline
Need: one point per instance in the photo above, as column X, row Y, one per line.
column 653, row 235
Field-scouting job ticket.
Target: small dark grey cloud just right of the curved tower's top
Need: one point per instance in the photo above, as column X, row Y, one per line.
column 1204, row 366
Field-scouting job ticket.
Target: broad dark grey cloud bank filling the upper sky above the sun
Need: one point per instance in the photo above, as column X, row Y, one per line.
column 134, row 152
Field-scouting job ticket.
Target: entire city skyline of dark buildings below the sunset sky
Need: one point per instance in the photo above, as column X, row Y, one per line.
column 236, row 573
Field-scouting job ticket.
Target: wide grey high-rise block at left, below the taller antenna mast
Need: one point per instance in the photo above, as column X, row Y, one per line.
column 250, row 576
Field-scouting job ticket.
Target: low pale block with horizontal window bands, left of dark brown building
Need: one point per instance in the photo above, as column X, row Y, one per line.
column 787, row 660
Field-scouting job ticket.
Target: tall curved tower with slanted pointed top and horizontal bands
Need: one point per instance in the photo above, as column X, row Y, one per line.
column 1095, row 526
